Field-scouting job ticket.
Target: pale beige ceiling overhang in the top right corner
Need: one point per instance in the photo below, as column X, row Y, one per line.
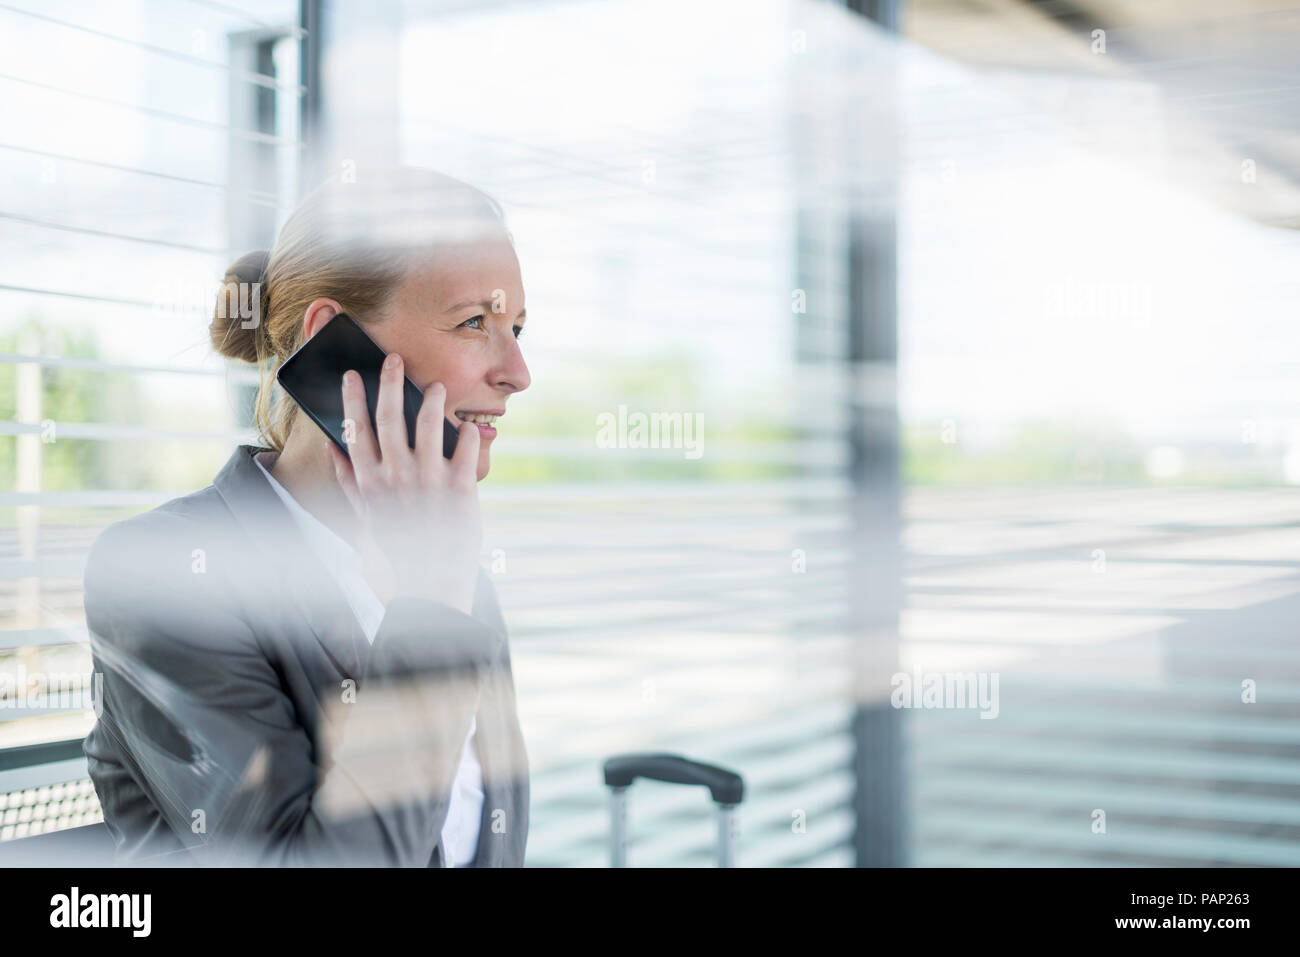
column 1227, row 76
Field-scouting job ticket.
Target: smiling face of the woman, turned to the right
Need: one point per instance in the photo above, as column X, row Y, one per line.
column 457, row 321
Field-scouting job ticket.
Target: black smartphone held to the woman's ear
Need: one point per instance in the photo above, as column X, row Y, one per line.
column 314, row 378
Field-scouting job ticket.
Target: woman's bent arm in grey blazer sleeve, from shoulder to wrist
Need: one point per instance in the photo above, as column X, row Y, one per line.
column 197, row 709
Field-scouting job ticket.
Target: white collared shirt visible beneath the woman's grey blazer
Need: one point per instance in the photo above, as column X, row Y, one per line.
column 465, row 815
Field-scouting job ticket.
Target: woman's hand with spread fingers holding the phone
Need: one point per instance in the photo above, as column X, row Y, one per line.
column 417, row 506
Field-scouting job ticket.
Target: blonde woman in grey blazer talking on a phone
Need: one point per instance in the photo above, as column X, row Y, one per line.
column 304, row 662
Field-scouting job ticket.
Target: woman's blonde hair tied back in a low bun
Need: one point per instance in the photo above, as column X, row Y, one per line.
column 352, row 241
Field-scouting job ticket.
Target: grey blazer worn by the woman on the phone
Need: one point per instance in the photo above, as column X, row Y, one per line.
column 245, row 718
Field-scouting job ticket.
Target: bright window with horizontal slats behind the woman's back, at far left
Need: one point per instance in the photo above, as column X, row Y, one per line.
column 142, row 144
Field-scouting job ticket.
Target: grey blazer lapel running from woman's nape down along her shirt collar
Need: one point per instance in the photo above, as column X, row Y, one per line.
column 305, row 581
